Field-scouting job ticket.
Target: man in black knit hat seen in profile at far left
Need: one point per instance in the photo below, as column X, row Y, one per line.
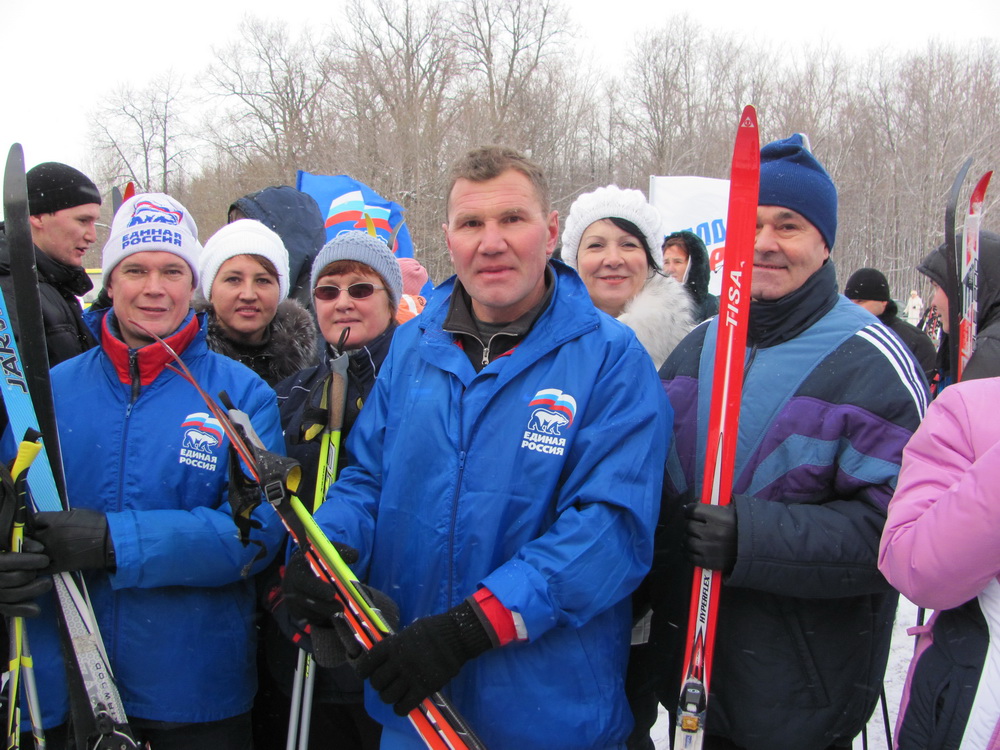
column 64, row 205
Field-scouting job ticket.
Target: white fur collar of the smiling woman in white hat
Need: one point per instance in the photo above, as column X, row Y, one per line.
column 660, row 315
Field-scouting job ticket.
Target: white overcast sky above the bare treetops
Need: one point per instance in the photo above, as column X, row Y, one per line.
column 60, row 56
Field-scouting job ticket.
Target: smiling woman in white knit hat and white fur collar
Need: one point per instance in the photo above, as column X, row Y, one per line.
column 612, row 238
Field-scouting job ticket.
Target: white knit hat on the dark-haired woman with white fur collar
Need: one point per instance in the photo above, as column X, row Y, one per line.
column 605, row 203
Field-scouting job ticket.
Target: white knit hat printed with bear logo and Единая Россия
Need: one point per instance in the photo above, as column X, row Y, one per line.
column 151, row 221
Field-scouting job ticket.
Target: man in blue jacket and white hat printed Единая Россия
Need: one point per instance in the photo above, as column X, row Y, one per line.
column 147, row 475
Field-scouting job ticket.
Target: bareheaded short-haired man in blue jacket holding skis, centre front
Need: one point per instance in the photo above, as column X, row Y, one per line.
column 505, row 485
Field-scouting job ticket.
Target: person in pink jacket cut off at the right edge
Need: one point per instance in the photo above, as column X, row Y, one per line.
column 941, row 549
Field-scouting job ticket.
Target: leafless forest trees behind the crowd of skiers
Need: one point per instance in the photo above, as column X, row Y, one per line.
column 403, row 87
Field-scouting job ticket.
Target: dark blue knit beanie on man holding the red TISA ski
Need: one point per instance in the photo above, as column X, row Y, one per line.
column 790, row 176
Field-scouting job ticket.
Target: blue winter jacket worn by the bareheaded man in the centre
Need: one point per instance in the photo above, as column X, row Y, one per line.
column 537, row 478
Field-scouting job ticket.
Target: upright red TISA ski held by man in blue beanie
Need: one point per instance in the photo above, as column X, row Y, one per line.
column 723, row 420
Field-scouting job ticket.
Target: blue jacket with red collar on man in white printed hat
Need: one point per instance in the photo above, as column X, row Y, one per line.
column 177, row 616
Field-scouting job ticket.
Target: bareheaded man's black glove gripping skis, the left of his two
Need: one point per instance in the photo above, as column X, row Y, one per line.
column 315, row 603
